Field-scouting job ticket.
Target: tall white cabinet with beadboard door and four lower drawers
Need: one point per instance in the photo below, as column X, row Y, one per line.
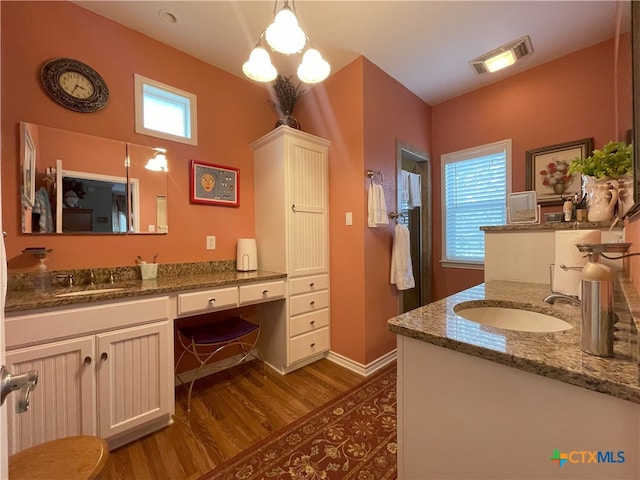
column 291, row 170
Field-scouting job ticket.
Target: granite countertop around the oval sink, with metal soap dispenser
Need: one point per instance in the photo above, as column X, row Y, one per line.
column 554, row 355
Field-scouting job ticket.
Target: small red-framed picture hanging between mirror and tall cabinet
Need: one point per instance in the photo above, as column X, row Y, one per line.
column 212, row 184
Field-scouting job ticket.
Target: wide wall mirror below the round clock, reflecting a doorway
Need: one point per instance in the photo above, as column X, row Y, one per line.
column 76, row 183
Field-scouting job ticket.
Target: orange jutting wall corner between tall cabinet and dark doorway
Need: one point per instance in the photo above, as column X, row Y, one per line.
column 363, row 112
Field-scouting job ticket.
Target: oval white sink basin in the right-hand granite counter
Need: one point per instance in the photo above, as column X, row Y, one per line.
column 512, row 318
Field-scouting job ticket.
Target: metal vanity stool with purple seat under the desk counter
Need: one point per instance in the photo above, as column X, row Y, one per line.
column 205, row 342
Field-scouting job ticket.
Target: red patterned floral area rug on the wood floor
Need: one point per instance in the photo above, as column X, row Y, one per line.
column 351, row 437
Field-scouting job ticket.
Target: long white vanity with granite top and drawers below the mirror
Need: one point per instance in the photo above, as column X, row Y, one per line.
column 105, row 359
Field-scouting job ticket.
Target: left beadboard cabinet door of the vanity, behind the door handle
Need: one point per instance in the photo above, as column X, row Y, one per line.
column 62, row 404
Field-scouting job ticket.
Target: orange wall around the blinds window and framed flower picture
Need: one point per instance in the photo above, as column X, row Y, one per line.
column 568, row 99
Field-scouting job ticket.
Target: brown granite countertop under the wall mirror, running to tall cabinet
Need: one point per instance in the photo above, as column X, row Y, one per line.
column 23, row 300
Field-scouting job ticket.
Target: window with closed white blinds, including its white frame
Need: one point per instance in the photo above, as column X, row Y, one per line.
column 475, row 184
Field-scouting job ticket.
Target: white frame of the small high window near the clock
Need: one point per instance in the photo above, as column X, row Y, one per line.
column 192, row 100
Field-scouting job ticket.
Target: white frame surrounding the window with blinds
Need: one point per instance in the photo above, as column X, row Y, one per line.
column 462, row 155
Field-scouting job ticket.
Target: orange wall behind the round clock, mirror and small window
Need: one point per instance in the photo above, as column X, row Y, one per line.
column 232, row 114
